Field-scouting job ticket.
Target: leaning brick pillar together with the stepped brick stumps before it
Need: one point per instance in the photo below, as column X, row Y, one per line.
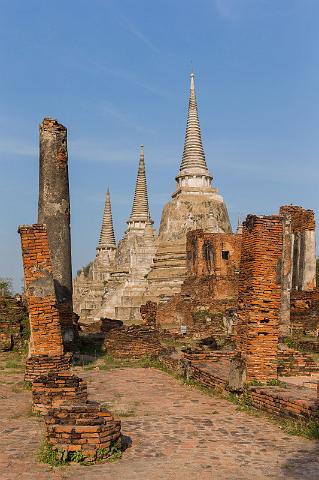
column 73, row 422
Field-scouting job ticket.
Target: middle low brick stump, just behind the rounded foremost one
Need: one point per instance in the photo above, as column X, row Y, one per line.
column 54, row 390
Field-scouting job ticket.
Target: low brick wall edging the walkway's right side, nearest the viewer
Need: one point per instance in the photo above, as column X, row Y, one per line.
column 284, row 402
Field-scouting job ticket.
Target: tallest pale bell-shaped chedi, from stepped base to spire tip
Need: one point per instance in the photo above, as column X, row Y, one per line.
column 194, row 205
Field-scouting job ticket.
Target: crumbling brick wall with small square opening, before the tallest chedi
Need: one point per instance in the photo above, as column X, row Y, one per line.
column 211, row 285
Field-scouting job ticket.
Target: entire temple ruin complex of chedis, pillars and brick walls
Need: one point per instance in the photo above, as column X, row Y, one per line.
column 234, row 312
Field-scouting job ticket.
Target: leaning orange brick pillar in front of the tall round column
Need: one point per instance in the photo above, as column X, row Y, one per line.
column 46, row 352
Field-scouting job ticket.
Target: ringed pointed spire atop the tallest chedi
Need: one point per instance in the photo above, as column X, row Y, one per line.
column 193, row 154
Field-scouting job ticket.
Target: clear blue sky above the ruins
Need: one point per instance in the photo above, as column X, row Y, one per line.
column 116, row 73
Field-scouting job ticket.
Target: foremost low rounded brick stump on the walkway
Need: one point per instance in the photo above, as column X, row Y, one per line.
column 89, row 429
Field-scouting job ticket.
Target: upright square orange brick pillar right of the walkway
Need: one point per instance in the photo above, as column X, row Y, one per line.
column 260, row 295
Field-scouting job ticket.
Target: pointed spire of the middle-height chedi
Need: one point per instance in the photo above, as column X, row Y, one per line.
column 140, row 208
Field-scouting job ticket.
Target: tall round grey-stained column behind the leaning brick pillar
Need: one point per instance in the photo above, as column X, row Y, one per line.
column 54, row 212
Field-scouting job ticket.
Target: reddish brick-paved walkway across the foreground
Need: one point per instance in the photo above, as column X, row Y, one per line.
column 177, row 433
